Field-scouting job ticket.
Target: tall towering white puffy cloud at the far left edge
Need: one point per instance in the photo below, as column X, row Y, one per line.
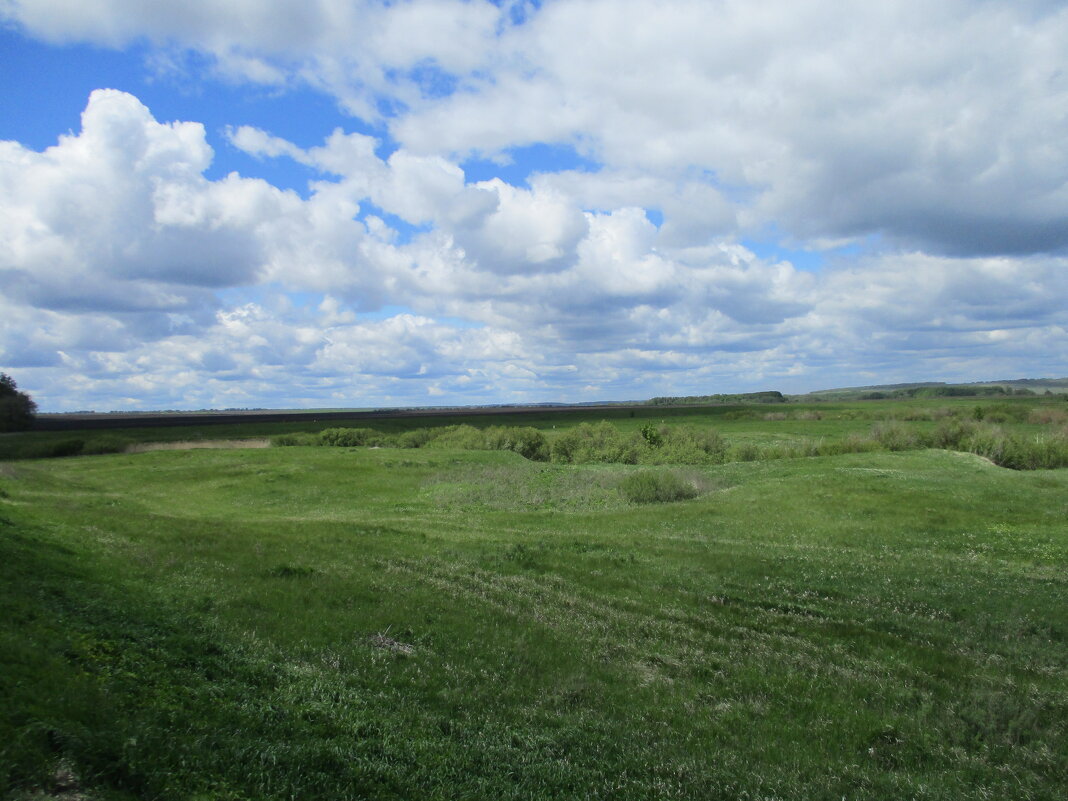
column 120, row 218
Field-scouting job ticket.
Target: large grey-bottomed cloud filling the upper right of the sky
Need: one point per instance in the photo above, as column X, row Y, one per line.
column 935, row 131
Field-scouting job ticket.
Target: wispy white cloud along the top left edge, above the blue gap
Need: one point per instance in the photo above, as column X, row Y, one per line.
column 365, row 52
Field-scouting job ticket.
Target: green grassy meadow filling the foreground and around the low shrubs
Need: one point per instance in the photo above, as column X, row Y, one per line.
column 325, row 623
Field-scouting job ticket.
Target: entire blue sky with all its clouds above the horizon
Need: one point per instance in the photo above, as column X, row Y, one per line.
column 359, row 203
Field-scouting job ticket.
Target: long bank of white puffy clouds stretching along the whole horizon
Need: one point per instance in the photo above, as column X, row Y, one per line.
column 123, row 271
